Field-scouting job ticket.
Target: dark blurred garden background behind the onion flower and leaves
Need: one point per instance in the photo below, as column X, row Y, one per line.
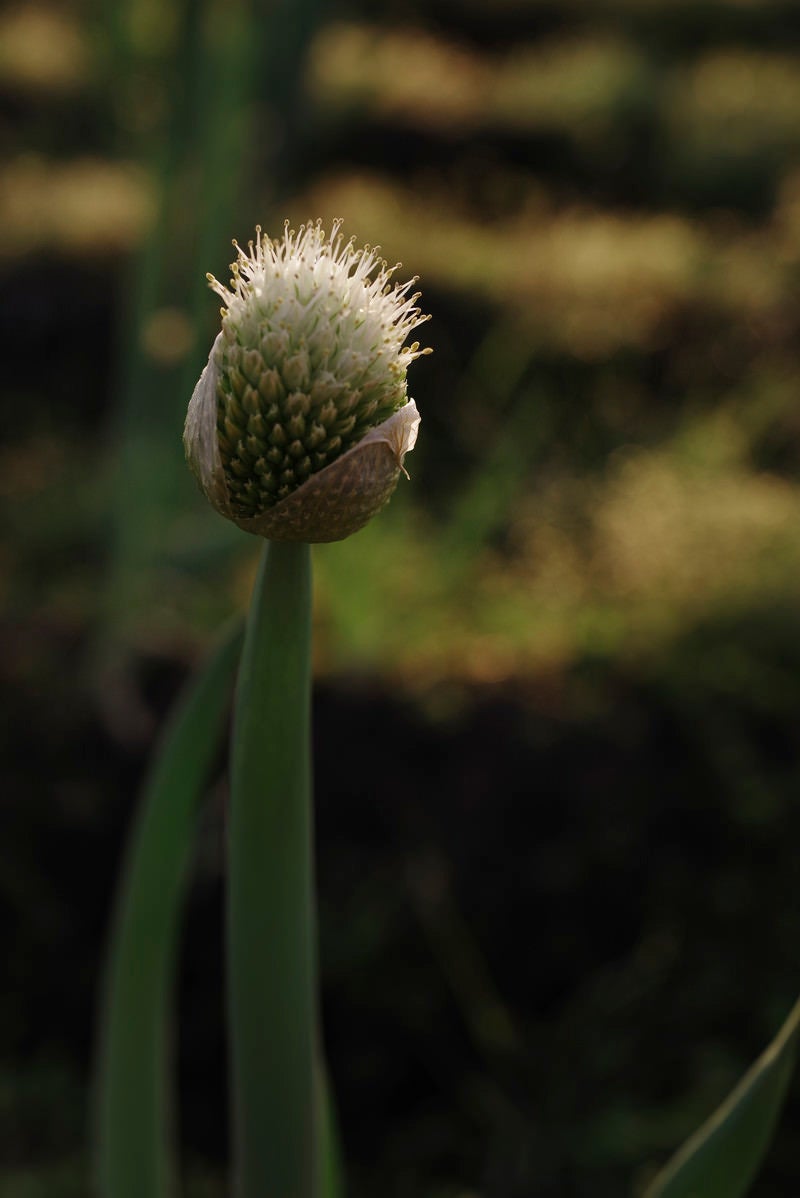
column 557, row 682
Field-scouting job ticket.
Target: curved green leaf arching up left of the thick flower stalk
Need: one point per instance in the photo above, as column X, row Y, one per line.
column 134, row 1149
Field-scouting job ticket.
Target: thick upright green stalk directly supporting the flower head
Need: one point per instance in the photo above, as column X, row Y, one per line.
column 272, row 936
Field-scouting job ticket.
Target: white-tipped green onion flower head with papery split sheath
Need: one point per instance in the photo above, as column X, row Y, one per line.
column 300, row 423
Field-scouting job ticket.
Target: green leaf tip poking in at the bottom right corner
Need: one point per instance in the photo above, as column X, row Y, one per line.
column 724, row 1157
